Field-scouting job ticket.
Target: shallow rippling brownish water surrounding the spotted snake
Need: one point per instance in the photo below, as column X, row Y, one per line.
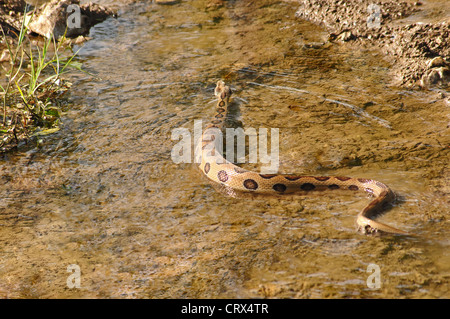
column 104, row 194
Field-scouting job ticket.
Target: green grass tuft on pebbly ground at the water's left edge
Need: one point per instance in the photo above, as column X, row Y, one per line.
column 33, row 95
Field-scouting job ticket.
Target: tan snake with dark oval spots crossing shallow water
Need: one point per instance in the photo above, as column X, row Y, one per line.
column 235, row 179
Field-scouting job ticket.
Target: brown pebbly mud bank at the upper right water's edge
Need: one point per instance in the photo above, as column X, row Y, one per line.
column 419, row 52
